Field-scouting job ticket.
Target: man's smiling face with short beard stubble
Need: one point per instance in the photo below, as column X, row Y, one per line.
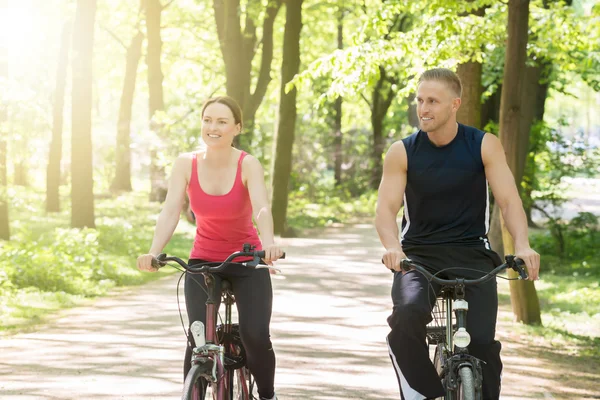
column 436, row 104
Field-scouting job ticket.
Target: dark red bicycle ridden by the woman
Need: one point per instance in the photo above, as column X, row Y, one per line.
column 218, row 359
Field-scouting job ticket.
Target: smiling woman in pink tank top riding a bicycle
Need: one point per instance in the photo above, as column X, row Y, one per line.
column 226, row 189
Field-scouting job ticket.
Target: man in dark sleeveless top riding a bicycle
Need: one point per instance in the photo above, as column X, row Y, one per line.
column 441, row 174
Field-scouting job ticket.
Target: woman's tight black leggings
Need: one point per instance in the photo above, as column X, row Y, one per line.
column 254, row 300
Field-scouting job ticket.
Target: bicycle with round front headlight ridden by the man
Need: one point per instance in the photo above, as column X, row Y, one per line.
column 460, row 372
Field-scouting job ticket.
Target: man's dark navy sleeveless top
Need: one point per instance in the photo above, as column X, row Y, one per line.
column 446, row 200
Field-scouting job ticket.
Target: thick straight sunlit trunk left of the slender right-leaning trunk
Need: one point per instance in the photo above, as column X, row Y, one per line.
column 82, row 184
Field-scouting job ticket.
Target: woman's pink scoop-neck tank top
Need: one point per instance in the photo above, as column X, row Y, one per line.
column 223, row 223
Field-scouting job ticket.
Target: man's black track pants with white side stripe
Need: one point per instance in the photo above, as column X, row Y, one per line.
column 413, row 298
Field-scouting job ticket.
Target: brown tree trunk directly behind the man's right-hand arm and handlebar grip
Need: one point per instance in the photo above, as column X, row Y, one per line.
column 524, row 298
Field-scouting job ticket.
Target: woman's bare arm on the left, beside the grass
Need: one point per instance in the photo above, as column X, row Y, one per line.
column 169, row 215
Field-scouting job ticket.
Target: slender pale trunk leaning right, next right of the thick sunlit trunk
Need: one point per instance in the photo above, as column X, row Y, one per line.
column 122, row 179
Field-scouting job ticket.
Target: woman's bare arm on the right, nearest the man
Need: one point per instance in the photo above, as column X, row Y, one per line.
column 255, row 182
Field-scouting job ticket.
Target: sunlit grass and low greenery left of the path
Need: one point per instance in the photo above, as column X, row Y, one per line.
column 47, row 266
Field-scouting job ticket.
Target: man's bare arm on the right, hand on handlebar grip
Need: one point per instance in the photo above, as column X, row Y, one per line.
column 506, row 195
